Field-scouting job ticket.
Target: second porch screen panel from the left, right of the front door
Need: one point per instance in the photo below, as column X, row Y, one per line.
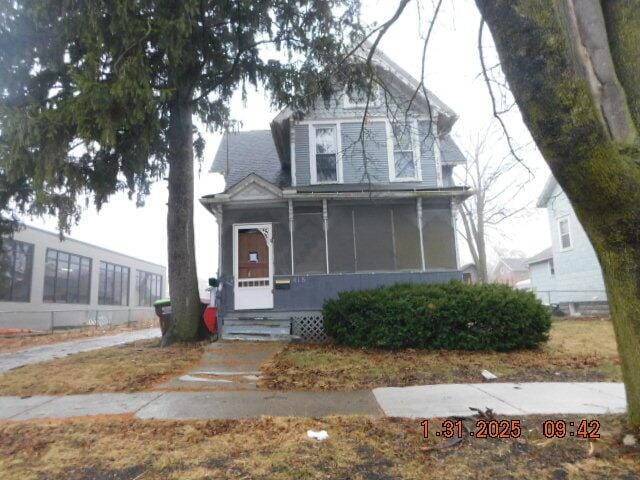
column 341, row 240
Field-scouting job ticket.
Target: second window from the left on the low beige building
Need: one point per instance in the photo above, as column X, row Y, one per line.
column 67, row 278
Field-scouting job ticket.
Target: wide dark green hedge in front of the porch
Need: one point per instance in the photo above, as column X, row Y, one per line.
column 451, row 316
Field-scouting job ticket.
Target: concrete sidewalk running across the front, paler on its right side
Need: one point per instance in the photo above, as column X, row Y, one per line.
column 415, row 402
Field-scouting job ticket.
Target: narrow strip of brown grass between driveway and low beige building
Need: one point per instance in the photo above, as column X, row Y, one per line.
column 12, row 343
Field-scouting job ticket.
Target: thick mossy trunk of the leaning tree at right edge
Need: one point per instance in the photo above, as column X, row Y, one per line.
column 598, row 169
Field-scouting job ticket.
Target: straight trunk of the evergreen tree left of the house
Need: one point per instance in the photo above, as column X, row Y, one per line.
column 183, row 279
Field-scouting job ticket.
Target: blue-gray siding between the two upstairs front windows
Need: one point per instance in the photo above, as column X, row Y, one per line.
column 377, row 165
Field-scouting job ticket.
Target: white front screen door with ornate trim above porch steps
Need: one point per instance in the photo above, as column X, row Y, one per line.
column 253, row 266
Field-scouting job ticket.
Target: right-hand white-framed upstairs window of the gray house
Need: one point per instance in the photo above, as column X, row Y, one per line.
column 403, row 151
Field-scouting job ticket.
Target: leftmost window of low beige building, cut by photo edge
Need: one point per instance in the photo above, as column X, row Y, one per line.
column 16, row 265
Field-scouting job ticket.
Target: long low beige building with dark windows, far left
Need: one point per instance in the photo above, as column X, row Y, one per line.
column 46, row 281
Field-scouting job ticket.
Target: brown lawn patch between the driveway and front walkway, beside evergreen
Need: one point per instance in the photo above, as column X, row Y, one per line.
column 125, row 368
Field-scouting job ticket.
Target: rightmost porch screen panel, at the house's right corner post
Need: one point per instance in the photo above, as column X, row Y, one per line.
column 439, row 238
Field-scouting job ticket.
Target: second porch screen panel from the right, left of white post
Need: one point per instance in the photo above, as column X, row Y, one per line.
column 407, row 237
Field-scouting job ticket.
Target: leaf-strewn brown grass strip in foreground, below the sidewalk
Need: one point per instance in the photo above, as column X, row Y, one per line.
column 278, row 448
